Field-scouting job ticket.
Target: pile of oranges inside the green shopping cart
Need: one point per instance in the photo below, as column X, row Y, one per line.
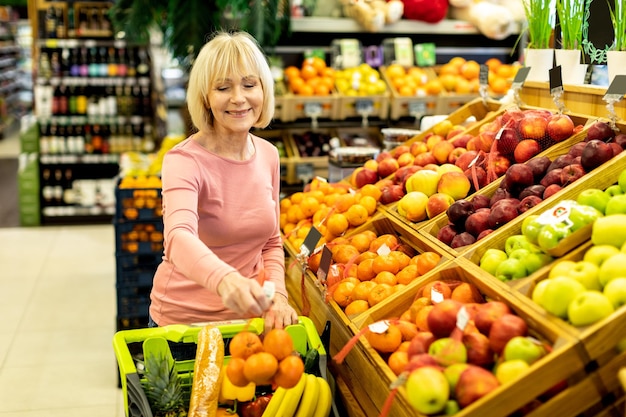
column 271, row 361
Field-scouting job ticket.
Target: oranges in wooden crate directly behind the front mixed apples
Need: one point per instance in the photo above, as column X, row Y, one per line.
column 368, row 267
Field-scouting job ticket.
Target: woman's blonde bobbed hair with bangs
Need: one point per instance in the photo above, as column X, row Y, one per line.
column 225, row 54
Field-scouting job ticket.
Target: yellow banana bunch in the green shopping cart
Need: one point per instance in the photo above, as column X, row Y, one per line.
column 310, row 397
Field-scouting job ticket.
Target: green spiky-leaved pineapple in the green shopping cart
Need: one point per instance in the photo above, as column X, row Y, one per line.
column 163, row 388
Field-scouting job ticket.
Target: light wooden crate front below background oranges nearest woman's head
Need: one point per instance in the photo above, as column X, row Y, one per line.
column 310, row 107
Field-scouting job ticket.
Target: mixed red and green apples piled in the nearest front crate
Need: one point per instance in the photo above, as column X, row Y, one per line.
column 455, row 347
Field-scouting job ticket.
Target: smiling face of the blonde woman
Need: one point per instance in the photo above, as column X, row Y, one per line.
column 236, row 102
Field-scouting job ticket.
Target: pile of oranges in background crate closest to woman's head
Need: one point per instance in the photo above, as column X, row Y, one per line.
column 313, row 78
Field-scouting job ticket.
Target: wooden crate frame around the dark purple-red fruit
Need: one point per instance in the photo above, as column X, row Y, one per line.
column 431, row 228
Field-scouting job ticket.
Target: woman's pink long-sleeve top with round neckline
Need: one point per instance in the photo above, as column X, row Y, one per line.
column 220, row 215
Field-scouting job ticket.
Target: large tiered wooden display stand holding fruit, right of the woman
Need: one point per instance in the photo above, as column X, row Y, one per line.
column 587, row 358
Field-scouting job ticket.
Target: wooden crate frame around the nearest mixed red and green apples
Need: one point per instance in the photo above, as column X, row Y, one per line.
column 562, row 364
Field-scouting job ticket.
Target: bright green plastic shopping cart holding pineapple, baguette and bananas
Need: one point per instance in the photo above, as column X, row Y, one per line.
column 304, row 335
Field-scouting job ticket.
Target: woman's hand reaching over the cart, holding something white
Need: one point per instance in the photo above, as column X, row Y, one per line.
column 244, row 296
